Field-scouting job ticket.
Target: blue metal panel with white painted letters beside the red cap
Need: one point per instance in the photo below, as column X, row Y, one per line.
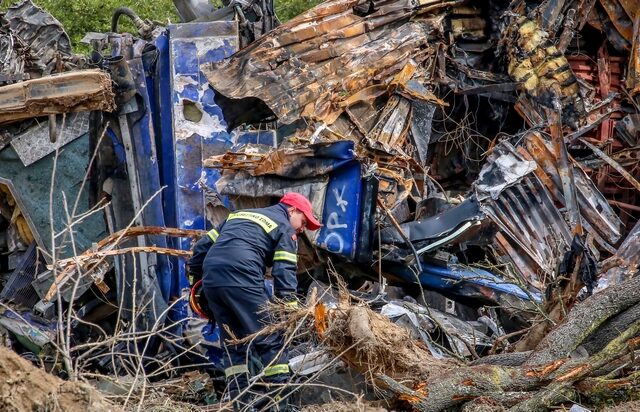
column 341, row 214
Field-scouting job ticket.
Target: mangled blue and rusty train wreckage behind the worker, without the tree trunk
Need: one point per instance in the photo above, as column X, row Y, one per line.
column 464, row 154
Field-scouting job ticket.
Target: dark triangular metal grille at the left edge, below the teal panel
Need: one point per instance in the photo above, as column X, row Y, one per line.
column 18, row 289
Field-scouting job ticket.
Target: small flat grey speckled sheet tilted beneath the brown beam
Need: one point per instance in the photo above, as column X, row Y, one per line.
column 34, row 143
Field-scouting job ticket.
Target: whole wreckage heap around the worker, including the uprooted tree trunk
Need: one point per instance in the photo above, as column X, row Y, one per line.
column 475, row 166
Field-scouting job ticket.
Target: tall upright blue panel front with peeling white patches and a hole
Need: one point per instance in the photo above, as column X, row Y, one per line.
column 195, row 139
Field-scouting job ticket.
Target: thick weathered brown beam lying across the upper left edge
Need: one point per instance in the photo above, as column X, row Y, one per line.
column 77, row 91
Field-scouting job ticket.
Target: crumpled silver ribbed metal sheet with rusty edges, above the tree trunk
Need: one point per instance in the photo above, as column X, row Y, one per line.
column 520, row 188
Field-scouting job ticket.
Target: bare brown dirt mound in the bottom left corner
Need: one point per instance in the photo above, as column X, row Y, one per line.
column 24, row 387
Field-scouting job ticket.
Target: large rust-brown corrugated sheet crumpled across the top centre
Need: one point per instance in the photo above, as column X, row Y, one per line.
column 308, row 66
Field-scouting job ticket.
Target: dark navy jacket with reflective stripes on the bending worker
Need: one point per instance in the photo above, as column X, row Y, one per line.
column 238, row 252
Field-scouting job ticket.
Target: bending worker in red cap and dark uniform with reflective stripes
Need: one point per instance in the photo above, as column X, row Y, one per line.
column 232, row 261
